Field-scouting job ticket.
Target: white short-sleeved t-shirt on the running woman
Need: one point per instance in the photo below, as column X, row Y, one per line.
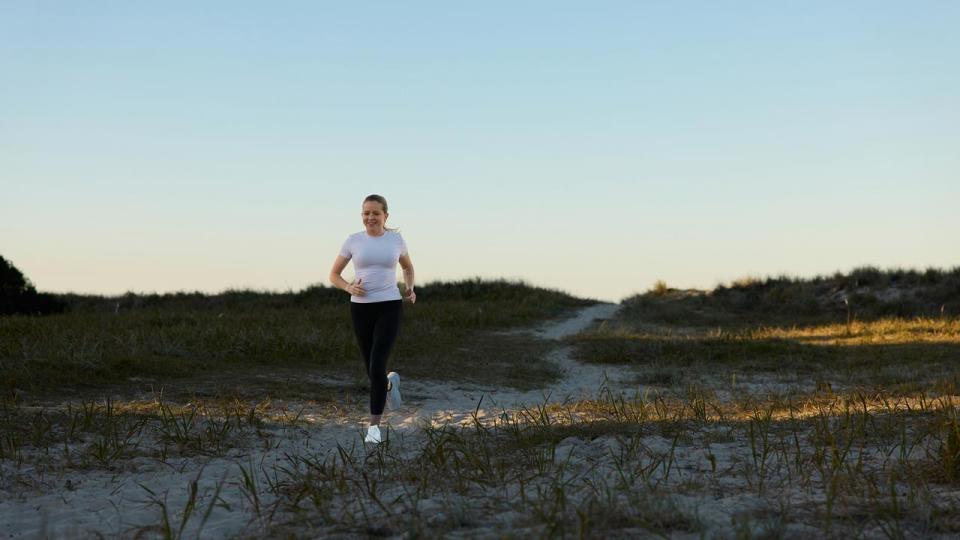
column 375, row 262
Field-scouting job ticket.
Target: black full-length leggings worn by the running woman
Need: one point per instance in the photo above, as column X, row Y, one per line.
column 376, row 325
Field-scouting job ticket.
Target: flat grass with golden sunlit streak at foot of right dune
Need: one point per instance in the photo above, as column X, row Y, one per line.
column 886, row 352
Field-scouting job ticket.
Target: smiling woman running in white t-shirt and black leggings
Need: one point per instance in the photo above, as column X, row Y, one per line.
column 375, row 301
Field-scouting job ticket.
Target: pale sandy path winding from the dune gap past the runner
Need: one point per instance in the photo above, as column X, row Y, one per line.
column 48, row 498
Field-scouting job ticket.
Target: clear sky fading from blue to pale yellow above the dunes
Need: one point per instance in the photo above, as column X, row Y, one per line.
column 590, row 146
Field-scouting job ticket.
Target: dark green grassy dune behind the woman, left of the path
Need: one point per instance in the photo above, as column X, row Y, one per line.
column 110, row 339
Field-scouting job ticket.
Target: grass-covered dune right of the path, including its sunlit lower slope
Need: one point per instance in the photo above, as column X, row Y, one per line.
column 842, row 327
